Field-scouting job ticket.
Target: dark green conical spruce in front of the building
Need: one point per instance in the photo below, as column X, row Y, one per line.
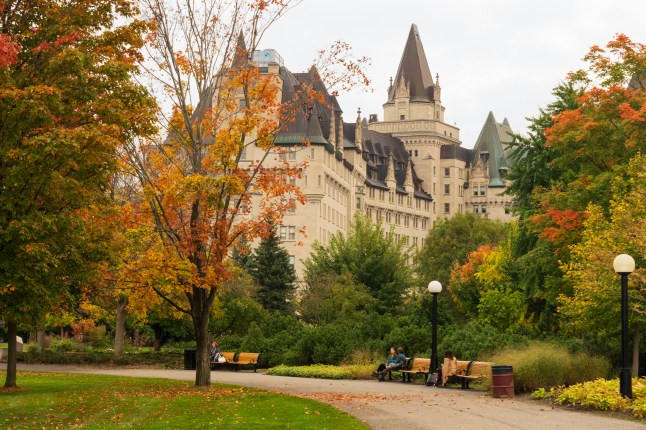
column 270, row 267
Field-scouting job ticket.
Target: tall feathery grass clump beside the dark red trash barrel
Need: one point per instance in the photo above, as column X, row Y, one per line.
column 543, row 365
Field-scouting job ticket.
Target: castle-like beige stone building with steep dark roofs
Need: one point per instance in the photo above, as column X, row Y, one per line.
column 406, row 171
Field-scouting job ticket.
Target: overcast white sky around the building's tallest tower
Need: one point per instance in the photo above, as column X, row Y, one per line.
column 503, row 56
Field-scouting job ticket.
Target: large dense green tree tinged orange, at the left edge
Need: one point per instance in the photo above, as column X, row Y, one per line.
column 68, row 100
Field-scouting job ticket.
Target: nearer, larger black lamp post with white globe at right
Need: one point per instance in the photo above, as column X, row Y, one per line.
column 624, row 265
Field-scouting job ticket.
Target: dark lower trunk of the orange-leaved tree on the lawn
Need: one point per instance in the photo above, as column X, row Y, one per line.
column 200, row 310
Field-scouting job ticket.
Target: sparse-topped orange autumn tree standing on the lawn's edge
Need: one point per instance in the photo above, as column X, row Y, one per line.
column 198, row 196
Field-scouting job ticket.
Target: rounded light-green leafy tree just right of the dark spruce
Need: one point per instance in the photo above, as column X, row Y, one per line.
column 372, row 256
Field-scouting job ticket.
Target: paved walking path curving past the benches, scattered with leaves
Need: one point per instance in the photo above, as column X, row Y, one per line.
column 393, row 404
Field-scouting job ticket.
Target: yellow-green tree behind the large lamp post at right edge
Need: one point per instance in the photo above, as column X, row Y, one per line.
column 595, row 305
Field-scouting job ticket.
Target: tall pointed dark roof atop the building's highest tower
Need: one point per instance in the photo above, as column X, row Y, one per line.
column 413, row 67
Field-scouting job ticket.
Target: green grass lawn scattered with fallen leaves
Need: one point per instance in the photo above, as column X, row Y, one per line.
column 60, row 400
